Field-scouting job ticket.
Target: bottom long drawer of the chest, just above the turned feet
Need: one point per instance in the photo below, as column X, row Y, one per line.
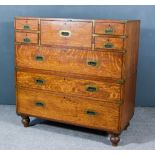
column 79, row 111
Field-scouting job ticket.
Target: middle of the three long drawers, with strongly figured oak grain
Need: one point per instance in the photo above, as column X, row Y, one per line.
column 86, row 88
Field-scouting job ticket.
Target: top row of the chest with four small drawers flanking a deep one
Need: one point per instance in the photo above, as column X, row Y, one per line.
column 90, row 34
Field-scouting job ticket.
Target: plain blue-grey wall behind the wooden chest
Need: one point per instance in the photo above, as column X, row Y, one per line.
column 146, row 65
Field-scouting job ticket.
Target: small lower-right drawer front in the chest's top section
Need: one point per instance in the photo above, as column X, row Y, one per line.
column 109, row 43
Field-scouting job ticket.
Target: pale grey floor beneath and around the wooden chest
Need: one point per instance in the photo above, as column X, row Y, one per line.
column 47, row 135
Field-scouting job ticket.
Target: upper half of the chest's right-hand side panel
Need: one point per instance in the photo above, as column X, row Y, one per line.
column 131, row 44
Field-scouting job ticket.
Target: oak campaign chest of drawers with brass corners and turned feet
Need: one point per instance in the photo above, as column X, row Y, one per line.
column 80, row 72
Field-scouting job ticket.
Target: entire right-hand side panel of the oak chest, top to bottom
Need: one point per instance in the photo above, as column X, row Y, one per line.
column 130, row 71
